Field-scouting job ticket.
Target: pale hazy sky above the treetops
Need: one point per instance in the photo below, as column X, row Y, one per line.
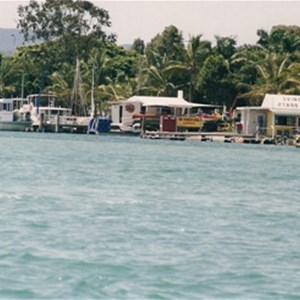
column 145, row 19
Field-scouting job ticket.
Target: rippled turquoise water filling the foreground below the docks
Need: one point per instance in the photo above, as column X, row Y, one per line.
column 115, row 217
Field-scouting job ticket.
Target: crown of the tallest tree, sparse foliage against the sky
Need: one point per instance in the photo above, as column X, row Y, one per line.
column 76, row 24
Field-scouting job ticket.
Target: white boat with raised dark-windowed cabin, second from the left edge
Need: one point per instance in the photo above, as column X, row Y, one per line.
column 47, row 117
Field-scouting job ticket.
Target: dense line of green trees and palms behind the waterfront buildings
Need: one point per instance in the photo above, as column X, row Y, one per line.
column 214, row 73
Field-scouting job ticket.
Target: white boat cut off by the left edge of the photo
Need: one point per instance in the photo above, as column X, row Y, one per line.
column 13, row 117
